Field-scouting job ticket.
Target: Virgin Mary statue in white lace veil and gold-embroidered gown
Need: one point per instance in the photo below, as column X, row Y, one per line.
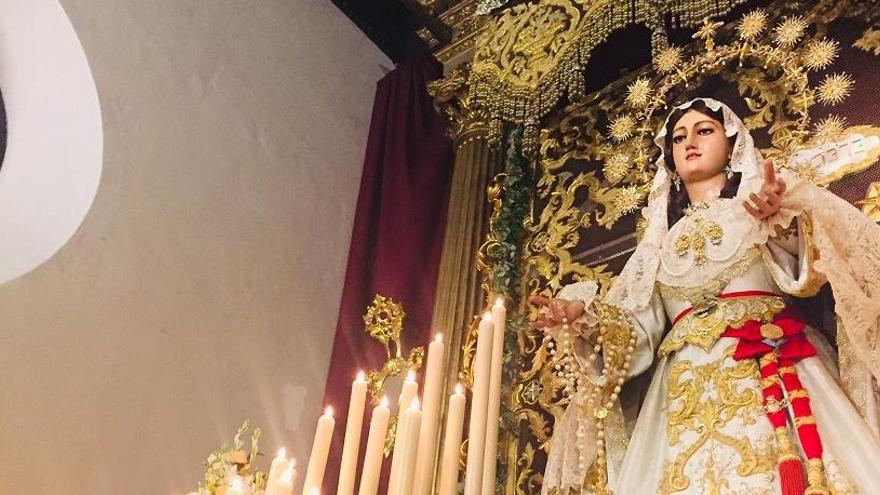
column 746, row 396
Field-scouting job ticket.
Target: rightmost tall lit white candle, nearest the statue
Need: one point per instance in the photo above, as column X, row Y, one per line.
column 499, row 321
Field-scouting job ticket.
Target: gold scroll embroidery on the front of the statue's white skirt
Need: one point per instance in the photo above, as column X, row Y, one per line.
column 703, row 400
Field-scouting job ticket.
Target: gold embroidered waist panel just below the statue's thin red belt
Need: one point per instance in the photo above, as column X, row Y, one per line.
column 703, row 328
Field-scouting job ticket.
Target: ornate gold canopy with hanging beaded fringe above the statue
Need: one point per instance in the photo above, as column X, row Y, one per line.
column 533, row 55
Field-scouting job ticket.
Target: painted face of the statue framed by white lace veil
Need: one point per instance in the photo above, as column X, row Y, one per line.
column 699, row 147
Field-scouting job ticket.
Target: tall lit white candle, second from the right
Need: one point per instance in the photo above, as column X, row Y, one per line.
column 473, row 478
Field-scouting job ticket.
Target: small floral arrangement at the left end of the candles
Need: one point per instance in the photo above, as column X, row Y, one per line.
column 233, row 465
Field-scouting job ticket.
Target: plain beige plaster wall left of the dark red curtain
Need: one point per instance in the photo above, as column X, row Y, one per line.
column 203, row 286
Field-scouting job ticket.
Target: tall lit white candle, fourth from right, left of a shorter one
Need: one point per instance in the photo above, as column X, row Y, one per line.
column 430, row 417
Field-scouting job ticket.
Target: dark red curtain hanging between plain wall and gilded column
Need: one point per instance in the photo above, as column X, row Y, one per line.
column 397, row 237
